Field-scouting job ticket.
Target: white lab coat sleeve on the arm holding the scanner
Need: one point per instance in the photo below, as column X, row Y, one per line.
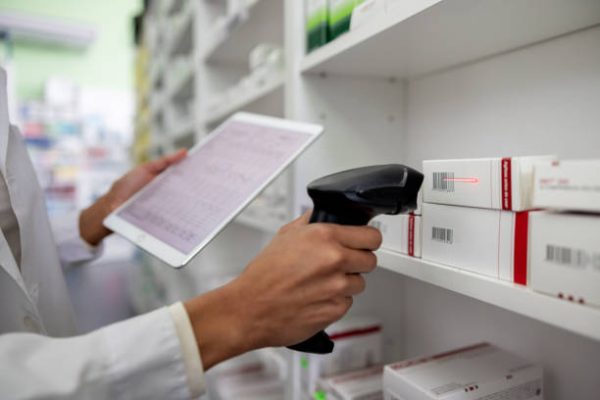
column 140, row 358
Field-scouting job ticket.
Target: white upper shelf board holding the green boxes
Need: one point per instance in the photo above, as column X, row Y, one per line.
column 419, row 37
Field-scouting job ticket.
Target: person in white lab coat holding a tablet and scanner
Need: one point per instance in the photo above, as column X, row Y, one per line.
column 300, row 283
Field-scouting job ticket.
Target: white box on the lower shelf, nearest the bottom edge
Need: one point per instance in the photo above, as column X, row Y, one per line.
column 477, row 372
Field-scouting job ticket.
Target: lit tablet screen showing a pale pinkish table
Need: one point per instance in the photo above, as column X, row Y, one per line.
column 192, row 200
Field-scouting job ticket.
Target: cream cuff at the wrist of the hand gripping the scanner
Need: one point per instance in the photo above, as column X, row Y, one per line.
column 189, row 349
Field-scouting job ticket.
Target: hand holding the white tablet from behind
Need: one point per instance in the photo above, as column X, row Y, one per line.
column 91, row 228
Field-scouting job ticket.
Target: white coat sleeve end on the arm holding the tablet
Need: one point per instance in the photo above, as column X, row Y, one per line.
column 72, row 249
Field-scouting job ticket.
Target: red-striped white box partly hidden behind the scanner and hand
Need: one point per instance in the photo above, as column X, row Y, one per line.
column 401, row 233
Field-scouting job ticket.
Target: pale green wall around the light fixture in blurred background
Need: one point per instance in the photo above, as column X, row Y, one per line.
column 108, row 62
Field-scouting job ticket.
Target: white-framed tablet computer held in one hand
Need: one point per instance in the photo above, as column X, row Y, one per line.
column 184, row 208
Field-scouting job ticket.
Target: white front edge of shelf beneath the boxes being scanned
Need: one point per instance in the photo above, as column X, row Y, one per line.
column 577, row 318
